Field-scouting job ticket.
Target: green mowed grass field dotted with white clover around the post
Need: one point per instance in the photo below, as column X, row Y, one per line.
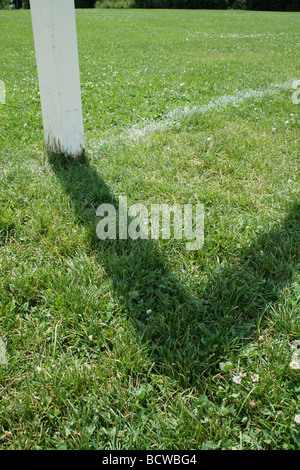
column 138, row 344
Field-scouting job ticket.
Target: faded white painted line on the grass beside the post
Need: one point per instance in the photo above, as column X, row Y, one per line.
column 177, row 115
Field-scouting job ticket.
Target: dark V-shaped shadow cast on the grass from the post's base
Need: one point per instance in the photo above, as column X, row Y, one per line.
column 186, row 336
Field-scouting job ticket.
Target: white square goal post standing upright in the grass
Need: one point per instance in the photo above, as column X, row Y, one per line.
column 55, row 39
